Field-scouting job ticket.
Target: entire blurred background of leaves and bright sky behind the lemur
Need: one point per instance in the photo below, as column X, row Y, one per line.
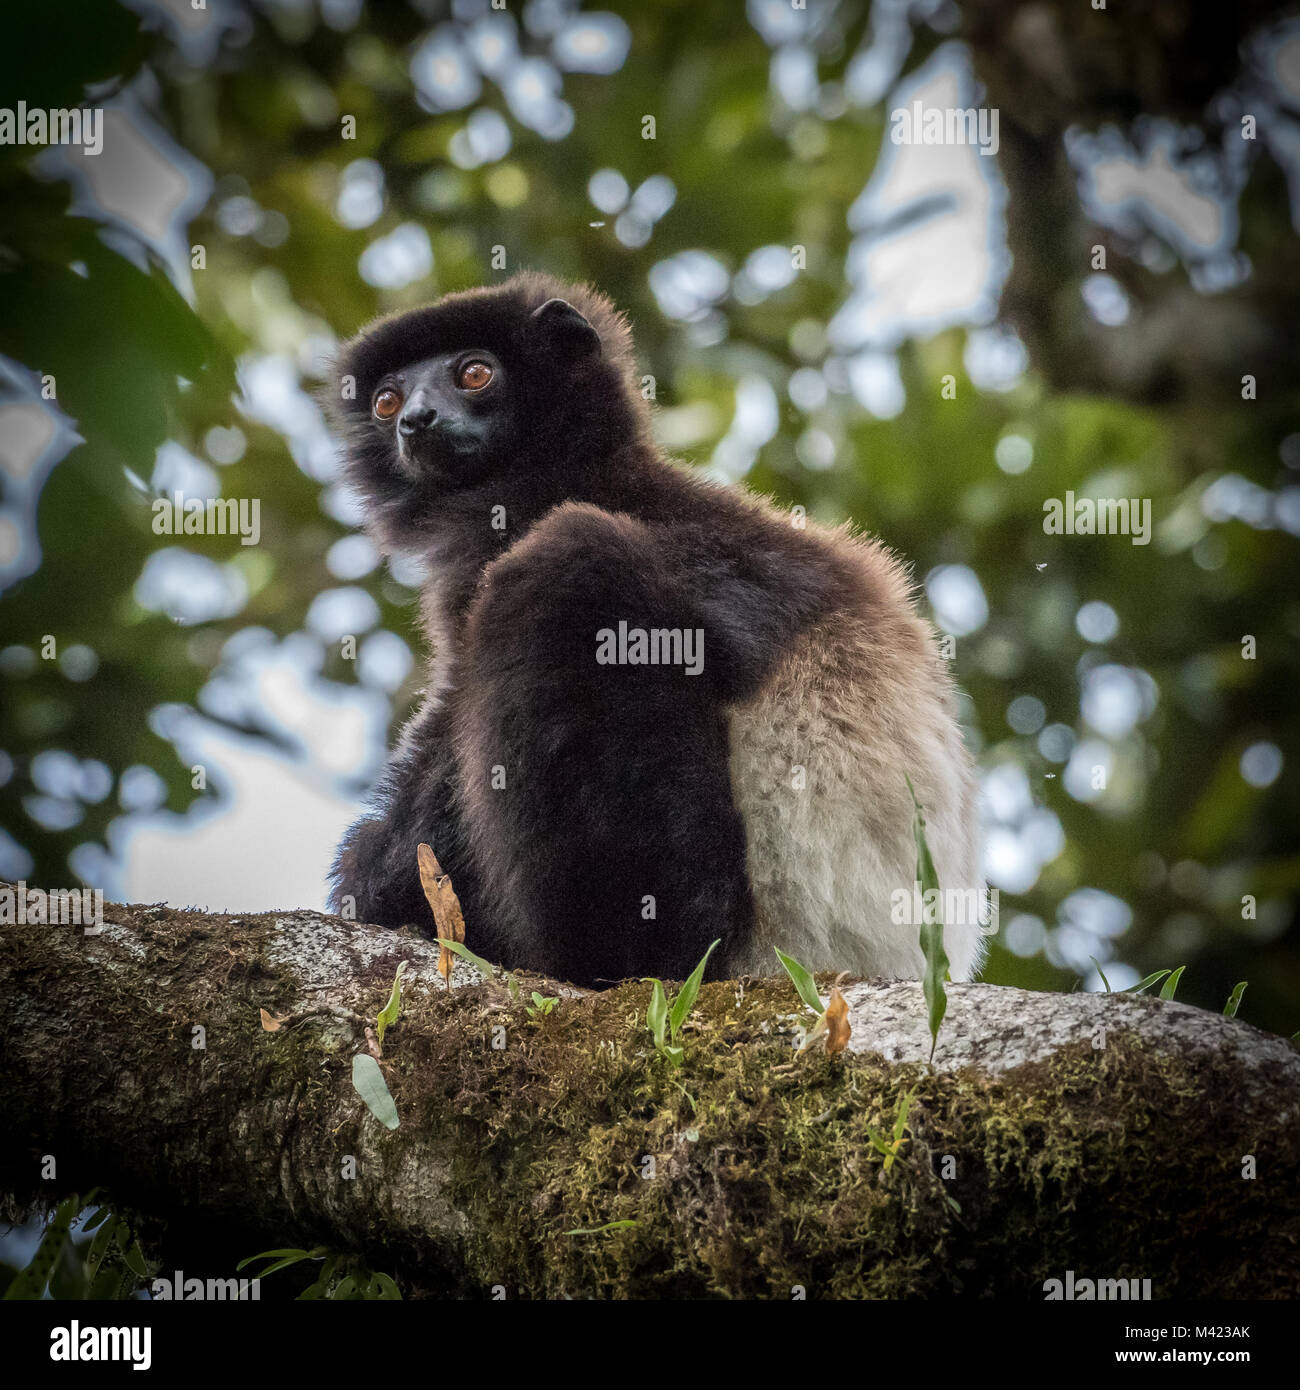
column 1112, row 300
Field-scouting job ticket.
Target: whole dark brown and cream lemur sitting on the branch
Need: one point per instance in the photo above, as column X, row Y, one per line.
column 658, row 711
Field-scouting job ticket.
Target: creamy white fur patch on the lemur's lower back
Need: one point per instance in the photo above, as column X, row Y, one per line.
column 829, row 847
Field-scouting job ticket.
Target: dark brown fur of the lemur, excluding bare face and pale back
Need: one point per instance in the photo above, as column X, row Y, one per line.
column 617, row 776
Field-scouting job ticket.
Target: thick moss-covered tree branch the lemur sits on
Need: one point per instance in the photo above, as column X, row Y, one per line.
column 1114, row 1136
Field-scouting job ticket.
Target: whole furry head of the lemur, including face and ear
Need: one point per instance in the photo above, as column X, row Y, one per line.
column 479, row 401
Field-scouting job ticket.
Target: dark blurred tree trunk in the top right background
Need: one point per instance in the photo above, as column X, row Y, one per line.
column 1050, row 66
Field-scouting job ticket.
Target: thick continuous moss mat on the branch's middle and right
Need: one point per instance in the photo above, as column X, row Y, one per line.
column 749, row 1171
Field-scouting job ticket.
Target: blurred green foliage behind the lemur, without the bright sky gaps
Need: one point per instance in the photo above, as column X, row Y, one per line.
column 1180, row 836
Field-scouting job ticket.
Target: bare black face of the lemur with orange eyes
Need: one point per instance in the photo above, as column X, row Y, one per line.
column 450, row 416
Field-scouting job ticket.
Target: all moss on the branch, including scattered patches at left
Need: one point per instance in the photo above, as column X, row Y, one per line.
column 747, row 1172
